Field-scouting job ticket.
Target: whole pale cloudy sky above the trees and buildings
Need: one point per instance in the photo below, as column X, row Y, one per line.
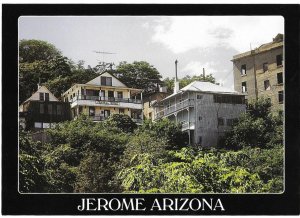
column 197, row 42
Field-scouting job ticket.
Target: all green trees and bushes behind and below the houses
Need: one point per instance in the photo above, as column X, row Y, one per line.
column 118, row 156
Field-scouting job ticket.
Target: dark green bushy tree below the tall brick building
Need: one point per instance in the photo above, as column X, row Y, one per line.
column 258, row 127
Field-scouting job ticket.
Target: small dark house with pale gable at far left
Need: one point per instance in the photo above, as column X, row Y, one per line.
column 42, row 110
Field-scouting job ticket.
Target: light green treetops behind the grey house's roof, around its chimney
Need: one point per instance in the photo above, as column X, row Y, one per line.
column 169, row 83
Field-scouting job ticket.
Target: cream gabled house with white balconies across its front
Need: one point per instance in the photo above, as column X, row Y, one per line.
column 103, row 96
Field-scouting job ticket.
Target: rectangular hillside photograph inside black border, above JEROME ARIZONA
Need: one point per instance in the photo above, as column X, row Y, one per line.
column 159, row 104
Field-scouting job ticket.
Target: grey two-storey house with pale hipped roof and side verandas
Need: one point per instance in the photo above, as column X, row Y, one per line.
column 205, row 110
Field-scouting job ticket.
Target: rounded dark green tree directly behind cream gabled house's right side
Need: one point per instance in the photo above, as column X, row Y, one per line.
column 139, row 74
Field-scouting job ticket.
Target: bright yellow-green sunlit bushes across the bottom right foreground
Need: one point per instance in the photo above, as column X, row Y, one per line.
column 210, row 171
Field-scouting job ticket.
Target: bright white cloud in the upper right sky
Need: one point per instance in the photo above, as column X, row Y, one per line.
column 181, row 34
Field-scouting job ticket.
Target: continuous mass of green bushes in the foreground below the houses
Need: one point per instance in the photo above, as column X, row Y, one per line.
column 117, row 156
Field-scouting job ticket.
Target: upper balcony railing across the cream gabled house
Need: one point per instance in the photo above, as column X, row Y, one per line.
column 106, row 99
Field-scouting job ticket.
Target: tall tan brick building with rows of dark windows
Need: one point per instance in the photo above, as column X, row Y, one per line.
column 260, row 72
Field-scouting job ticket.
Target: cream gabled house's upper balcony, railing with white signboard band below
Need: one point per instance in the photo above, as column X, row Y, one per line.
column 106, row 101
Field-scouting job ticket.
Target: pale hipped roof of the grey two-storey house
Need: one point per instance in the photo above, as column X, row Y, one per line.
column 205, row 87
